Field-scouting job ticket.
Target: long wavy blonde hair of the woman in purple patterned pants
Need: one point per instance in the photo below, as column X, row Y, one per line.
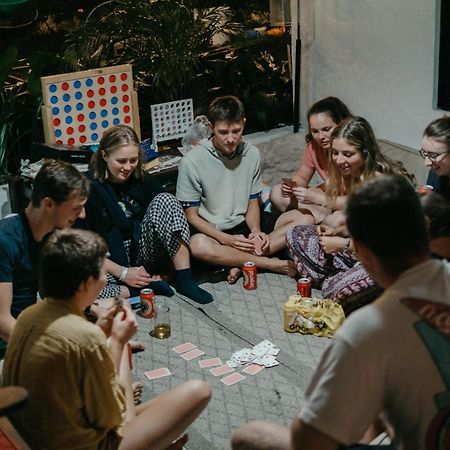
column 358, row 133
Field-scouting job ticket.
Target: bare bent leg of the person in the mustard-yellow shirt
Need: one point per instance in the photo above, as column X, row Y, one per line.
column 162, row 420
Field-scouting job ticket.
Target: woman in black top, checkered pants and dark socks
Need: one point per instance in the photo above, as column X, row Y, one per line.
column 143, row 226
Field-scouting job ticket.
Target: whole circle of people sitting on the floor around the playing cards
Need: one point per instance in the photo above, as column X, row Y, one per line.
column 362, row 232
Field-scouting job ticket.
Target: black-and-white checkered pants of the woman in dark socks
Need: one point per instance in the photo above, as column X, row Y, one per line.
column 163, row 228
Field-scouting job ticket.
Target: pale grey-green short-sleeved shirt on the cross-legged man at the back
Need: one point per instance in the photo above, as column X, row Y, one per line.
column 221, row 187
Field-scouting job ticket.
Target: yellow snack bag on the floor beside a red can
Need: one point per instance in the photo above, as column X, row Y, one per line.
column 312, row 316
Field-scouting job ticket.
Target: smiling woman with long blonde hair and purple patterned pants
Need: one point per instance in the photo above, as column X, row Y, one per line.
column 325, row 253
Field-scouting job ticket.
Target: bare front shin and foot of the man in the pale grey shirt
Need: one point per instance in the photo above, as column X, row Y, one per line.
column 209, row 250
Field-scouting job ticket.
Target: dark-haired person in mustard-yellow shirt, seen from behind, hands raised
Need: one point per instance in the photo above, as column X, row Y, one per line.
column 74, row 379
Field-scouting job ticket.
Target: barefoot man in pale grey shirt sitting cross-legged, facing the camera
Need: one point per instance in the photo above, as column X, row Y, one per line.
column 219, row 185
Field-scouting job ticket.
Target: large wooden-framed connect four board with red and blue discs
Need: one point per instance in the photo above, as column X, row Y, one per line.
column 80, row 106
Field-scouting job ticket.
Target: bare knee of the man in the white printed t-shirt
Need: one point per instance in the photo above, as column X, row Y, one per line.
column 261, row 436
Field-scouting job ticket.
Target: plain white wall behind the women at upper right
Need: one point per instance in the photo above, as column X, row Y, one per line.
column 378, row 56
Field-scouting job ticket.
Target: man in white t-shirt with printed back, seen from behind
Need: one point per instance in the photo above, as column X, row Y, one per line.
column 390, row 358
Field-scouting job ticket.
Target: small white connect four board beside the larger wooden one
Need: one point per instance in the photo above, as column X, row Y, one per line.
column 171, row 120
